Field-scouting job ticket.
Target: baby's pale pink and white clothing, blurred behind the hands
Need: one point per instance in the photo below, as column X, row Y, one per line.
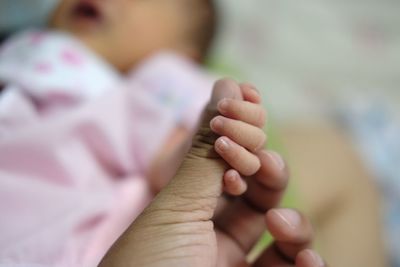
column 76, row 139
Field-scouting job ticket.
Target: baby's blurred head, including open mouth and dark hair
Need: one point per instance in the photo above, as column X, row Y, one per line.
column 125, row 33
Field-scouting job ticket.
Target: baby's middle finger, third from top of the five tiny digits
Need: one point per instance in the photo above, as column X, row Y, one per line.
column 244, row 134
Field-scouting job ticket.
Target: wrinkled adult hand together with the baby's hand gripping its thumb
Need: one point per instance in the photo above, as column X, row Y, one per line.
column 209, row 214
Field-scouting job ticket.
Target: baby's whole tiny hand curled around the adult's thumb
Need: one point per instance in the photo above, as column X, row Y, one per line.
column 242, row 137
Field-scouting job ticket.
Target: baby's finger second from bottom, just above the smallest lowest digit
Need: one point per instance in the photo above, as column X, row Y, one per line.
column 237, row 156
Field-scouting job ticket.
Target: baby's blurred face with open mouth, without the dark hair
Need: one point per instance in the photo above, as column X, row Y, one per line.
column 122, row 31
